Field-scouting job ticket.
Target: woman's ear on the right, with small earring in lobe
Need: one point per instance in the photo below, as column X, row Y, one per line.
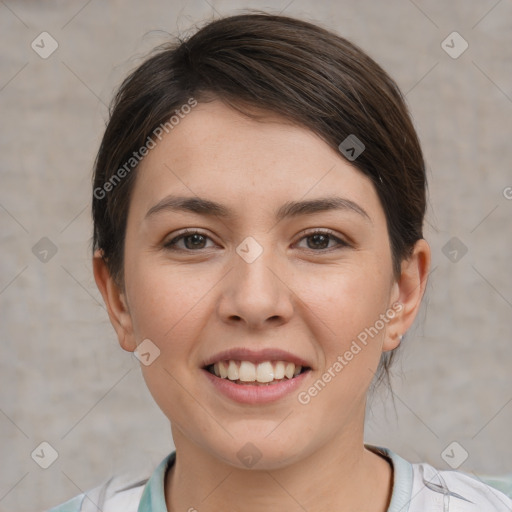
column 407, row 293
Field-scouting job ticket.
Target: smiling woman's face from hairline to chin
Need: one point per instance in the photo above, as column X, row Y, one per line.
column 255, row 281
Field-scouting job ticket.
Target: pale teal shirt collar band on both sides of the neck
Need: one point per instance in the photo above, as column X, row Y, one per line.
column 153, row 497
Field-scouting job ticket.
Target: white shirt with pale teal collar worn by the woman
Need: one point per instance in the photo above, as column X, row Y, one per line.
column 416, row 488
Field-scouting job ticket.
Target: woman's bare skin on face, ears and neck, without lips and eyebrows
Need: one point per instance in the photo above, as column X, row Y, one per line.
column 198, row 297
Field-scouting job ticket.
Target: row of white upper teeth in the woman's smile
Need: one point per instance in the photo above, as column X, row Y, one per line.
column 246, row 371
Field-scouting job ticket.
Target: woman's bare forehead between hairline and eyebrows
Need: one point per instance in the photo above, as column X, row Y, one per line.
column 217, row 152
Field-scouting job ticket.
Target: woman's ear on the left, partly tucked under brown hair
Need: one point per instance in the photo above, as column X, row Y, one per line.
column 116, row 303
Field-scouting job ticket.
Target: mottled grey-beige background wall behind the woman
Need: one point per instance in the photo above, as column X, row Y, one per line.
column 65, row 381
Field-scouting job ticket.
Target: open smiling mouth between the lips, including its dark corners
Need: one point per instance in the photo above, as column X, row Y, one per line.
column 264, row 373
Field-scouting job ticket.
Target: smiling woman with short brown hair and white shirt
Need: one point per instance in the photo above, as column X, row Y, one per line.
column 258, row 205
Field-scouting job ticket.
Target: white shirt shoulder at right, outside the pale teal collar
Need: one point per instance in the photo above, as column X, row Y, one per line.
column 453, row 490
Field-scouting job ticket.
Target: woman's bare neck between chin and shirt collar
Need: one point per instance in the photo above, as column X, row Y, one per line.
column 341, row 472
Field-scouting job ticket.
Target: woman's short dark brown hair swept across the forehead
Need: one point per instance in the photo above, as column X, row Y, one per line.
column 281, row 65
